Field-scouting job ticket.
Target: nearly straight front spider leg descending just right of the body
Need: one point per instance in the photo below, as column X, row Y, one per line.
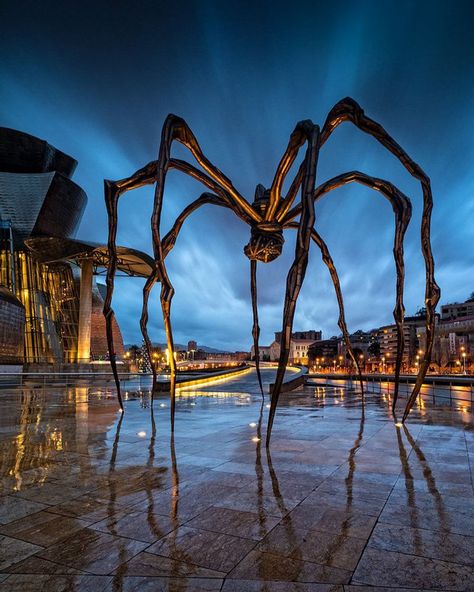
column 297, row 271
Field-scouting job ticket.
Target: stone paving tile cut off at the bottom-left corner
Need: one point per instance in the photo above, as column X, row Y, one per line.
column 33, row 583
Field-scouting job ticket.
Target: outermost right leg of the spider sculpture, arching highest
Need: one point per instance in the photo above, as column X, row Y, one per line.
column 349, row 110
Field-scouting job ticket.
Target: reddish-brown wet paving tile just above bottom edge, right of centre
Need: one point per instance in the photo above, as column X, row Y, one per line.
column 269, row 567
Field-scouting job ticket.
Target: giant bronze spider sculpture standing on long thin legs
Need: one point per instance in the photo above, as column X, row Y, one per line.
column 268, row 216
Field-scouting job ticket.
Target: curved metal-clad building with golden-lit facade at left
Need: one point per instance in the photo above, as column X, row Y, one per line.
column 43, row 267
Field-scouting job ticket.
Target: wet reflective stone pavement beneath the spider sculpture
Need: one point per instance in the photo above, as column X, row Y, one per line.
column 344, row 501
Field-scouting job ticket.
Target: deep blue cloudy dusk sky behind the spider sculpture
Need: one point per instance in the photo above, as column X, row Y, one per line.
column 97, row 79
